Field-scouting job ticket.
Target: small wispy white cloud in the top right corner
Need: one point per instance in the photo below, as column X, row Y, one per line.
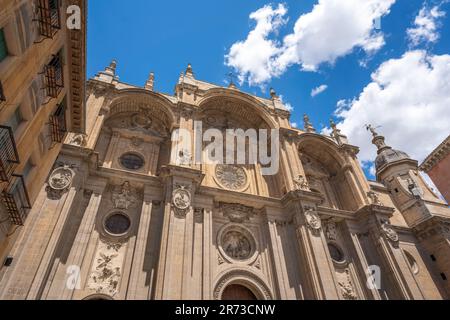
column 425, row 26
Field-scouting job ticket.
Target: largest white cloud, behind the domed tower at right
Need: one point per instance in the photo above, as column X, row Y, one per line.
column 409, row 98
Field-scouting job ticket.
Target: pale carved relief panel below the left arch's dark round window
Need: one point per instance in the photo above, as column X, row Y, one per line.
column 107, row 269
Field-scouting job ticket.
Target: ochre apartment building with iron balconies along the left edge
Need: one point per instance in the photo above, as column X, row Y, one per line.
column 42, row 78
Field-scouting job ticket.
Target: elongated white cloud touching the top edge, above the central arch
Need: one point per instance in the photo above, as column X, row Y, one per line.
column 333, row 29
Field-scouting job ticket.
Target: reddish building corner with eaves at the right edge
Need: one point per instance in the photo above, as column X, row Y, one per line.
column 437, row 166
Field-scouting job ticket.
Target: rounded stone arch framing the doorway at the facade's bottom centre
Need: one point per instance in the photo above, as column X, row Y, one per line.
column 244, row 278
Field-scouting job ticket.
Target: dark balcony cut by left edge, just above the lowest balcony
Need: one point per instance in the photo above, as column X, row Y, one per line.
column 9, row 158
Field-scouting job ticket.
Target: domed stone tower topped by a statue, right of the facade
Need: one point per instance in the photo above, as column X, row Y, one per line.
column 422, row 209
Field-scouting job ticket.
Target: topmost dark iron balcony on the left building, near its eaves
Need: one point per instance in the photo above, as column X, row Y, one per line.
column 48, row 17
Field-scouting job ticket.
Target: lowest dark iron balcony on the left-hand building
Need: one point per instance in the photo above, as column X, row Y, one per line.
column 16, row 201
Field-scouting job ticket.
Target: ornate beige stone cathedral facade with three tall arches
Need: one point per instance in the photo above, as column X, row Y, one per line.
column 127, row 215
